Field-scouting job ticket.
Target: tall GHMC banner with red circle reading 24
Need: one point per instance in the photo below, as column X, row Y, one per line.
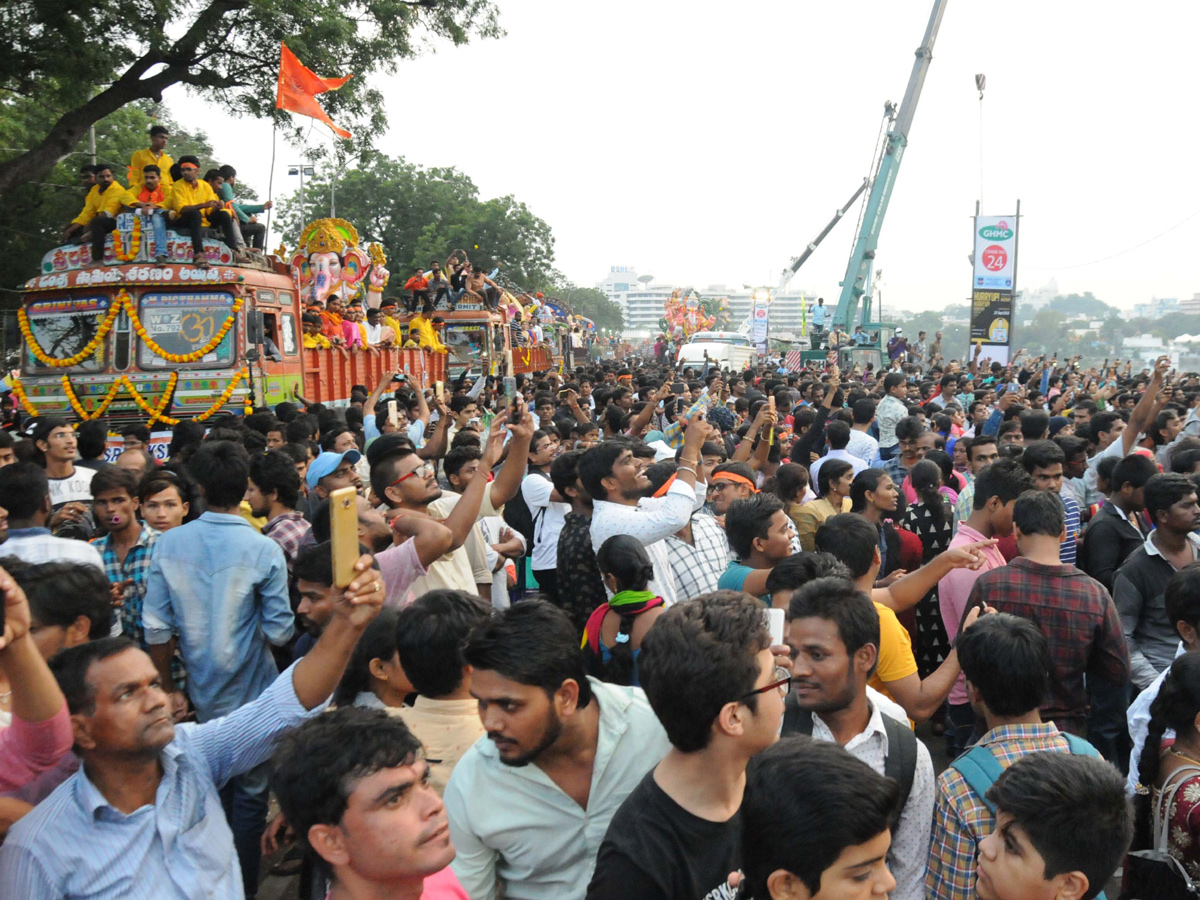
column 993, row 286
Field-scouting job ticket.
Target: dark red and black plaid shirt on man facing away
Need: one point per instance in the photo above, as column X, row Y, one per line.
column 1077, row 616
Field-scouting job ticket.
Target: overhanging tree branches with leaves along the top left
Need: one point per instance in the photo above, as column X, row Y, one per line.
column 86, row 59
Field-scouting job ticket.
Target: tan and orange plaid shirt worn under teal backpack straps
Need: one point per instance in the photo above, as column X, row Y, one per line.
column 962, row 819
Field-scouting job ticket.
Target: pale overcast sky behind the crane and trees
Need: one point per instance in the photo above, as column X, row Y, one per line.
column 707, row 143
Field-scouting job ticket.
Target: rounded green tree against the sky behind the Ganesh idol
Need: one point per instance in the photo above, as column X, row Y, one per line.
column 421, row 215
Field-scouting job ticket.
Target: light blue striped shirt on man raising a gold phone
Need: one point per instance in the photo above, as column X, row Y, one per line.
column 75, row 844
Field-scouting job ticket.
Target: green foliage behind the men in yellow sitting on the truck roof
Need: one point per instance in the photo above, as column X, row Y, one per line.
column 40, row 211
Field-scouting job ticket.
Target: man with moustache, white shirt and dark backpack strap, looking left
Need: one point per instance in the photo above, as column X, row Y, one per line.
column 833, row 633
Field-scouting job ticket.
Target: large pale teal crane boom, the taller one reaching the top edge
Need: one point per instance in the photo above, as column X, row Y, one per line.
column 859, row 271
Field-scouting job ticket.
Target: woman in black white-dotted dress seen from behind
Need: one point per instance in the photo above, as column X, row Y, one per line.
column 932, row 520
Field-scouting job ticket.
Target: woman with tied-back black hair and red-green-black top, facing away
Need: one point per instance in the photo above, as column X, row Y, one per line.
column 614, row 635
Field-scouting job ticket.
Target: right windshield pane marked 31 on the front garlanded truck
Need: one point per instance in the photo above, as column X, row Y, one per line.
column 183, row 323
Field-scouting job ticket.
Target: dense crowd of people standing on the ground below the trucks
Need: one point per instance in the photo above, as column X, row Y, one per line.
column 633, row 633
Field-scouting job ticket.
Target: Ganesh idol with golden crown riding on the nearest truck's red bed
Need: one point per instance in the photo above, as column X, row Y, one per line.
column 331, row 266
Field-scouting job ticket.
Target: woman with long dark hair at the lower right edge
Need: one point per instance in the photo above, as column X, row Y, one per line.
column 1169, row 771
